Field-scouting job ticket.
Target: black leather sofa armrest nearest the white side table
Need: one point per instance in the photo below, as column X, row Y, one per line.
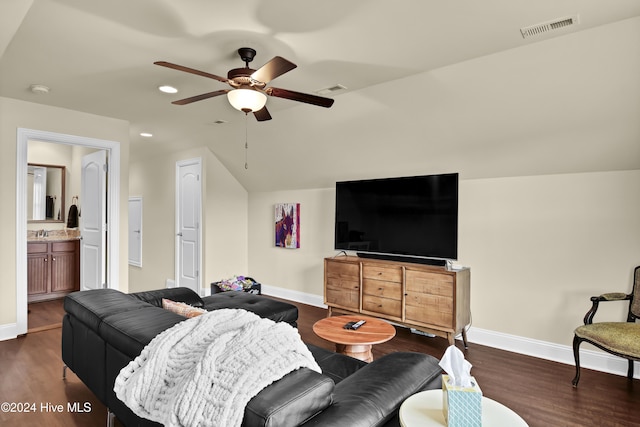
column 373, row 394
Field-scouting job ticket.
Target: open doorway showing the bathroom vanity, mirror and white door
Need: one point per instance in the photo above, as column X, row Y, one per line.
column 58, row 261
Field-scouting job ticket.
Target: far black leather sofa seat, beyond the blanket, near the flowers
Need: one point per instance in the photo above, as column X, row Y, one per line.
column 269, row 308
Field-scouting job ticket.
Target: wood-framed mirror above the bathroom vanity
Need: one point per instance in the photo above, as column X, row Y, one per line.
column 45, row 193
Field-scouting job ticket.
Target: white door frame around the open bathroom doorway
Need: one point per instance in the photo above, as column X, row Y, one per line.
column 113, row 200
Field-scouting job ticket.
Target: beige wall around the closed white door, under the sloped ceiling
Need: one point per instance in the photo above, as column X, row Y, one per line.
column 224, row 227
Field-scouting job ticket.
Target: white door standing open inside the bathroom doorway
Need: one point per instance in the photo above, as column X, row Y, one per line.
column 93, row 221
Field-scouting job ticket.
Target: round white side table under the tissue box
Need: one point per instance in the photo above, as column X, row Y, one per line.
column 424, row 409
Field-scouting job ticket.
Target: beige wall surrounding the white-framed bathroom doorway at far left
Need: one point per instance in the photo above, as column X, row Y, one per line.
column 16, row 114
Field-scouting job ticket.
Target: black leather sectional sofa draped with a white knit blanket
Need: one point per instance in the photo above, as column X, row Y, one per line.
column 105, row 329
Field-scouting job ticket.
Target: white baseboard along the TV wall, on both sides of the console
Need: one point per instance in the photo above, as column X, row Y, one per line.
column 589, row 359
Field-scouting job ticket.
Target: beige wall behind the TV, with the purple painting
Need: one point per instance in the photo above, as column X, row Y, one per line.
column 538, row 247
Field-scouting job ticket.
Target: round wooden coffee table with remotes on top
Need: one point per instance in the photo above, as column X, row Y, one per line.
column 354, row 343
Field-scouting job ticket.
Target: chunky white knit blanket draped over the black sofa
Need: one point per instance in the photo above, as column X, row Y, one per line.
column 203, row 371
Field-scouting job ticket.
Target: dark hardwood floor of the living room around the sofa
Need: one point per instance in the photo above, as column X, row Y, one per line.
column 540, row 391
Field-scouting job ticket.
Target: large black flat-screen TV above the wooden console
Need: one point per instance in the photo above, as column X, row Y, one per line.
column 410, row 216
